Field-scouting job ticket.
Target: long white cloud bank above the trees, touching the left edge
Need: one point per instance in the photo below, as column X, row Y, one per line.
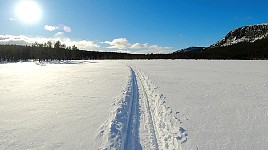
column 24, row 40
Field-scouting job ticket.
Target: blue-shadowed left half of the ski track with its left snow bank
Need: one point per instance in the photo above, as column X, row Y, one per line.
column 120, row 131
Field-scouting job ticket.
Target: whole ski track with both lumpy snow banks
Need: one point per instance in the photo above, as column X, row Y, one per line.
column 141, row 120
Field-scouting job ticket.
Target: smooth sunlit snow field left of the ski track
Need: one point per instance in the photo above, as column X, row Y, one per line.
column 57, row 106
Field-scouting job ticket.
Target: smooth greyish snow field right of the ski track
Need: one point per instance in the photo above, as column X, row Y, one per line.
column 222, row 104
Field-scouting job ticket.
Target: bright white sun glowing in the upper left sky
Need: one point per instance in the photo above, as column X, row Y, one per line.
column 28, row 11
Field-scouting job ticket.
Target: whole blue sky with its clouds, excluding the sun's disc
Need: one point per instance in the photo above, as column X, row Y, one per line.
column 137, row 26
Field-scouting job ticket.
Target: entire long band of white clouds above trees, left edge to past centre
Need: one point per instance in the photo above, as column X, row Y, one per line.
column 118, row 45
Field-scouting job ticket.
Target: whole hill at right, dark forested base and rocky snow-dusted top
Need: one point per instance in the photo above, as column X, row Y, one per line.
column 249, row 42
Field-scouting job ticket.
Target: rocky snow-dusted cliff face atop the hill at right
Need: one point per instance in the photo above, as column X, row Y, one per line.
column 244, row 34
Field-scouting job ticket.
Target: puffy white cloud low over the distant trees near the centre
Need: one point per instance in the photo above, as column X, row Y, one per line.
column 122, row 44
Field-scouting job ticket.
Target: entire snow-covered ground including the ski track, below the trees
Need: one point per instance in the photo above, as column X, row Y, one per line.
column 139, row 104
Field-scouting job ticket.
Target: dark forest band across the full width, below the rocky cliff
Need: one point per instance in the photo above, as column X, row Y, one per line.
column 58, row 51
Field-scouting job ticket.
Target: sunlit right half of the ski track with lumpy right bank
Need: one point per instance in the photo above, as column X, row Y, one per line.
column 169, row 134
